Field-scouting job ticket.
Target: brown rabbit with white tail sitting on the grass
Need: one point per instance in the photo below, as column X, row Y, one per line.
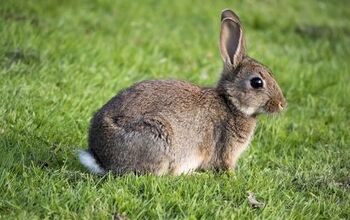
column 169, row 127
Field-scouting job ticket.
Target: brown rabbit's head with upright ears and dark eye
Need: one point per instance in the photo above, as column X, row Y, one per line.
column 246, row 83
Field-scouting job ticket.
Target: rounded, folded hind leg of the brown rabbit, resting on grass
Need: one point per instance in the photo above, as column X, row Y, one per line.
column 141, row 147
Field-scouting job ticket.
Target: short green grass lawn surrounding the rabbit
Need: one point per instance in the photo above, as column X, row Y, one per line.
column 61, row 60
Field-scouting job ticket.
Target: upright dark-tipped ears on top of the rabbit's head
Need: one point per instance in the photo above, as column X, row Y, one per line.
column 231, row 39
